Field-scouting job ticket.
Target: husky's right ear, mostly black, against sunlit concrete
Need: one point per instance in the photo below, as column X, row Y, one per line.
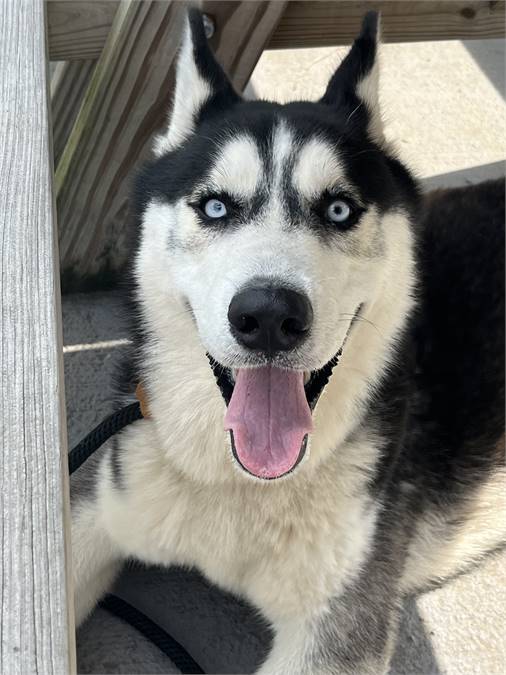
column 355, row 84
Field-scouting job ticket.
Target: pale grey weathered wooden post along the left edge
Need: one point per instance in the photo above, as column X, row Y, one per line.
column 36, row 624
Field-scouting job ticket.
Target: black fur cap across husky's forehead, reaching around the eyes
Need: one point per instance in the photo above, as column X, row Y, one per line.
column 378, row 178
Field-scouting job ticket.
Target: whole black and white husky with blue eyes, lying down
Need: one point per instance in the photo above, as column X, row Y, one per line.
column 322, row 356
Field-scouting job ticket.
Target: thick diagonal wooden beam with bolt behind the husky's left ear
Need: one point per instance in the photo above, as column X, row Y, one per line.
column 127, row 101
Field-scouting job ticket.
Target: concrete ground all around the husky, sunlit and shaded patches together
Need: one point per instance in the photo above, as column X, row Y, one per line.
column 444, row 105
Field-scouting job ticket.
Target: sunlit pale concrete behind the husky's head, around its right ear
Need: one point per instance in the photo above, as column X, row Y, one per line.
column 442, row 102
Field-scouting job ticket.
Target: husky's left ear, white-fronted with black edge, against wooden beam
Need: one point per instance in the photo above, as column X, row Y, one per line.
column 201, row 85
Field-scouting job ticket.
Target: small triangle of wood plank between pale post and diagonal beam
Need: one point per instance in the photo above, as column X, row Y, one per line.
column 69, row 83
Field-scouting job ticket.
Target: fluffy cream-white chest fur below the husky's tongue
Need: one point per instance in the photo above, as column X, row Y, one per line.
column 286, row 545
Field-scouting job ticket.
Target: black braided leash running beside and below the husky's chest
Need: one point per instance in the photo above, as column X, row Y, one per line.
column 111, row 603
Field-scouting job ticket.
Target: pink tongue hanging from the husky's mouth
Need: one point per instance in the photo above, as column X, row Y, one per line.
column 269, row 417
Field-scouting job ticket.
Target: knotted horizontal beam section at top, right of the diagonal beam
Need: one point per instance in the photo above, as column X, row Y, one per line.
column 319, row 24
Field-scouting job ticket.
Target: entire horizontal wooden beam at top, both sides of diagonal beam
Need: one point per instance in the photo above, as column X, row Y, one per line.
column 78, row 28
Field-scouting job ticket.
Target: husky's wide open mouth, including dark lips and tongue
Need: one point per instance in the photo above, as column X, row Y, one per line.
column 269, row 412
